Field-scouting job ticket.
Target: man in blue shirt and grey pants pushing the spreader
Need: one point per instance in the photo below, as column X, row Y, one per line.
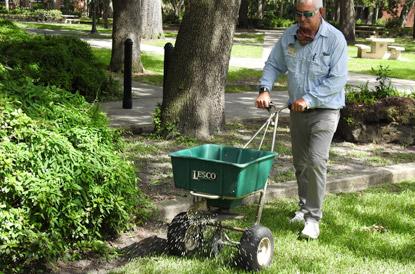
column 314, row 54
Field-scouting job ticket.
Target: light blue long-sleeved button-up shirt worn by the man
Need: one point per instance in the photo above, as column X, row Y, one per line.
column 317, row 72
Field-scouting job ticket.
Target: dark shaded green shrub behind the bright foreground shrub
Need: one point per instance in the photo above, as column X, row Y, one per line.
column 65, row 62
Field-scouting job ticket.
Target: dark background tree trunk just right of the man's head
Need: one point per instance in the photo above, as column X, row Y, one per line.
column 347, row 20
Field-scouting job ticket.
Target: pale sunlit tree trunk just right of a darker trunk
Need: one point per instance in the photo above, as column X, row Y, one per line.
column 152, row 20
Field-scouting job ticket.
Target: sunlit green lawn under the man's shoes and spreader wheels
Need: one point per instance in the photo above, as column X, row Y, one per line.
column 364, row 232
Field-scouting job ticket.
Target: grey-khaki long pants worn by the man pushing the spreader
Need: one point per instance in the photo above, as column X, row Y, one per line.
column 311, row 135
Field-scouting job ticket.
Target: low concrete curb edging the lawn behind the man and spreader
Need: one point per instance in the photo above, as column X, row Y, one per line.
column 368, row 178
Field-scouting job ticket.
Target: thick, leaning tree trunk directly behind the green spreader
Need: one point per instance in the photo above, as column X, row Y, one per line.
column 194, row 95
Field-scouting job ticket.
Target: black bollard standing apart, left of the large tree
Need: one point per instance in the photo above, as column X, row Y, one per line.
column 128, row 56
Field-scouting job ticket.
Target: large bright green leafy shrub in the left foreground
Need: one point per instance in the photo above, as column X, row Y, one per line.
column 63, row 180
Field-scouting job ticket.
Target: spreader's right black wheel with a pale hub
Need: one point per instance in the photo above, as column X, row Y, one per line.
column 256, row 248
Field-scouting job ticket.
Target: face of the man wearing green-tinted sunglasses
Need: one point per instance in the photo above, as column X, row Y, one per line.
column 308, row 16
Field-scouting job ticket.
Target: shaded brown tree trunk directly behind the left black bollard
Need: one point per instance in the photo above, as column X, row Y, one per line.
column 126, row 24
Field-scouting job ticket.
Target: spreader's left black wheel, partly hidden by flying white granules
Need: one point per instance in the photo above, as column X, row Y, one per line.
column 184, row 236
